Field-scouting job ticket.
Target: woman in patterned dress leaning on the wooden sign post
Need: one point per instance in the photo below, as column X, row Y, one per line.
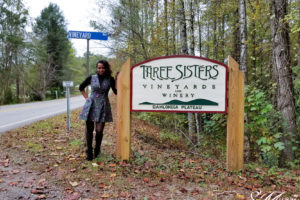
column 97, row 110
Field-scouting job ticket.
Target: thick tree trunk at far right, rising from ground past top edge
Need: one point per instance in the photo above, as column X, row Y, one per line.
column 283, row 74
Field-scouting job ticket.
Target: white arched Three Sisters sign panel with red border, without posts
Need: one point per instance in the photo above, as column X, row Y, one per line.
column 179, row 84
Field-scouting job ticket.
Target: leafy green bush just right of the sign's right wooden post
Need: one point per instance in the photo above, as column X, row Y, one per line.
column 264, row 125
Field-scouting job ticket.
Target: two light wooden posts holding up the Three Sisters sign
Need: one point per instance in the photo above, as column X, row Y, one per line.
column 235, row 118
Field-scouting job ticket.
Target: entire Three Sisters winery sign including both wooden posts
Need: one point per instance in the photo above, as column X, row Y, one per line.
column 183, row 84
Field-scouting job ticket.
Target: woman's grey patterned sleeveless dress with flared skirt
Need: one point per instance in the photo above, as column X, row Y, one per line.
column 97, row 106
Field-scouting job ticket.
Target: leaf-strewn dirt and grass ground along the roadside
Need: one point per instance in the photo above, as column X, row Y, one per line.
column 44, row 161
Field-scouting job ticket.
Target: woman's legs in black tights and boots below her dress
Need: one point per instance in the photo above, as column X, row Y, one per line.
column 89, row 138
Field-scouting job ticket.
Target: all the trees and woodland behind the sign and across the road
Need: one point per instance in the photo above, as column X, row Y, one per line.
column 262, row 36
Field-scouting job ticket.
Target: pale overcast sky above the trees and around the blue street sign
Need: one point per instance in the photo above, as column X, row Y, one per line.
column 77, row 14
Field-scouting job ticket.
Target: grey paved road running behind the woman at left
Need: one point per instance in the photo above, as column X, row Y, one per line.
column 14, row 116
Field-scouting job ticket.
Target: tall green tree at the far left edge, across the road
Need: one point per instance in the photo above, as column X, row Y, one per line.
column 13, row 19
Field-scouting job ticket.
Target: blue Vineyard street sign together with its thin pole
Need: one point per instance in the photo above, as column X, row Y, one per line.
column 88, row 36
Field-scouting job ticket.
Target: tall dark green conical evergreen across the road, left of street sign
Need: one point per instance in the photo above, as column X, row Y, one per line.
column 50, row 30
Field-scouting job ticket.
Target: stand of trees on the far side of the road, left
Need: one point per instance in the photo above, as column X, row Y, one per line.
column 34, row 64
